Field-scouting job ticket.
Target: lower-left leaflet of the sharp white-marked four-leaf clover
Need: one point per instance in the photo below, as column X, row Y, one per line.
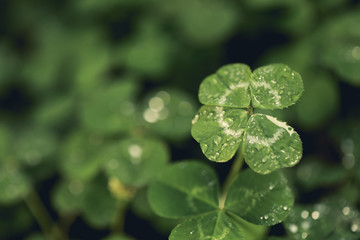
column 219, row 131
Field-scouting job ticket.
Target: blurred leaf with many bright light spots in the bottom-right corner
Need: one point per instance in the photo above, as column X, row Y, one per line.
column 332, row 216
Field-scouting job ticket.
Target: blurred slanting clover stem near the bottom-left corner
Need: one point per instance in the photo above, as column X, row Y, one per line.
column 38, row 210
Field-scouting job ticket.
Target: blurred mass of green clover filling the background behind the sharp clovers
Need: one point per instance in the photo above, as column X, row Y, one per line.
column 97, row 96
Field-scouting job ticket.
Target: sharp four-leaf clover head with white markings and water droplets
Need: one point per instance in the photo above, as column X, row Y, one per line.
column 226, row 121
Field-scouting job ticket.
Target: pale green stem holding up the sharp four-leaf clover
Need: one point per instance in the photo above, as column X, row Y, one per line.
column 235, row 168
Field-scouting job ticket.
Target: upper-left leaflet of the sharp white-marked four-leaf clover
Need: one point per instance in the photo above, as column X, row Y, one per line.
column 228, row 87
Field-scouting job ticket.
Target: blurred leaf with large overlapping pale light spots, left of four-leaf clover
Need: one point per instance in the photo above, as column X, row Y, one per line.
column 169, row 113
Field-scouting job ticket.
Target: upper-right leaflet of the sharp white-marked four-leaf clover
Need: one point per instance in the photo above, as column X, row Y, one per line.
column 275, row 86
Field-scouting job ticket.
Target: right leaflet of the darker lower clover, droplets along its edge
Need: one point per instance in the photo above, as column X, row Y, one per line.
column 260, row 199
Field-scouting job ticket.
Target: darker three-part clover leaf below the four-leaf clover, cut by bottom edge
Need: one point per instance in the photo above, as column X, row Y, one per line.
column 190, row 189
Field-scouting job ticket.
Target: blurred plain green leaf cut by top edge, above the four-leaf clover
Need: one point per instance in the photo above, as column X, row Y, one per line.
column 203, row 23
